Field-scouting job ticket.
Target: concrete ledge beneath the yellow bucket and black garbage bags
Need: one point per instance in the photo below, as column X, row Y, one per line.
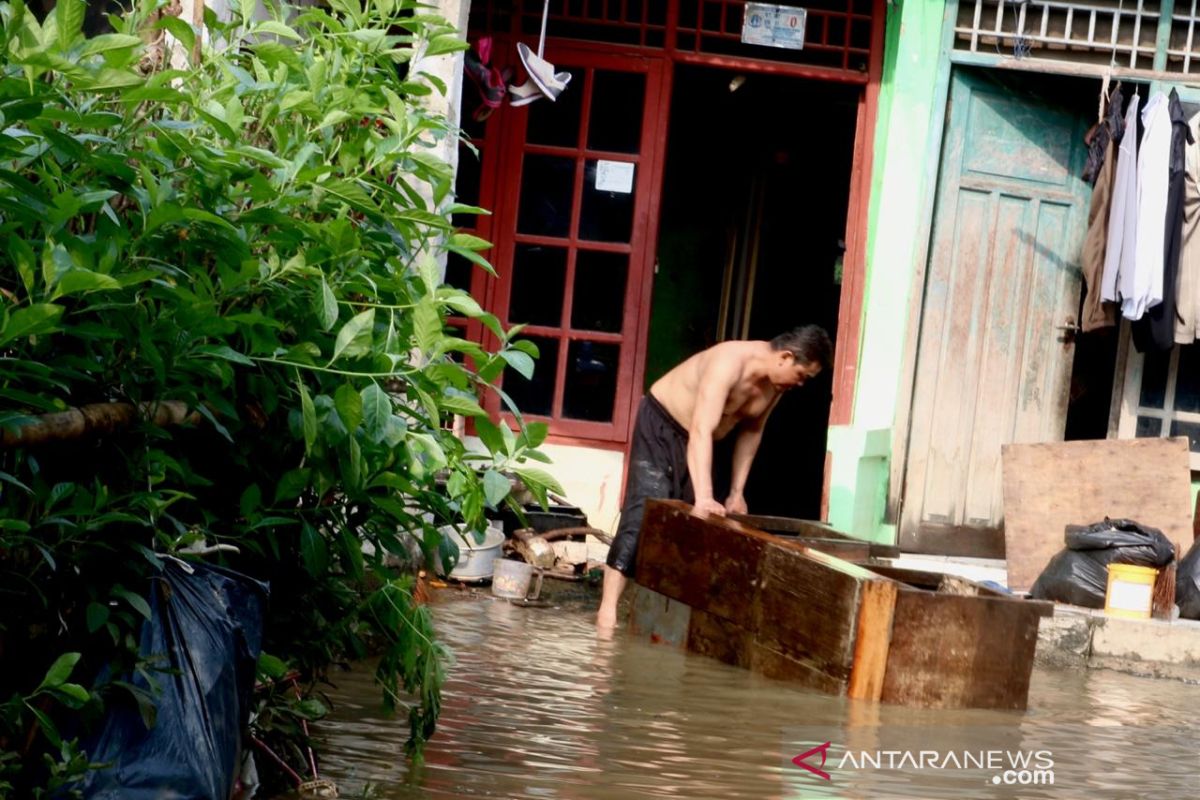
column 1082, row 637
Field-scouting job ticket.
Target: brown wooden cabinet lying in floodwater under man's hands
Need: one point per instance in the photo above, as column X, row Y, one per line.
column 783, row 607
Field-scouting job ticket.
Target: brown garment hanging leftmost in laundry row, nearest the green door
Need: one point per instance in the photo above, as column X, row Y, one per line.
column 1102, row 170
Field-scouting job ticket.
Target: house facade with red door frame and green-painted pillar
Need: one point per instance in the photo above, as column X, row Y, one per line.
column 910, row 179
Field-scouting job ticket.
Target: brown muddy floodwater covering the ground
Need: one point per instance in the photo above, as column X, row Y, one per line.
column 538, row 707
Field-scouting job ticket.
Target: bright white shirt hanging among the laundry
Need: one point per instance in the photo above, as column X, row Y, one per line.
column 1143, row 291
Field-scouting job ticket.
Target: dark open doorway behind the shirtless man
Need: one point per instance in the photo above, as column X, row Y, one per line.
column 752, row 233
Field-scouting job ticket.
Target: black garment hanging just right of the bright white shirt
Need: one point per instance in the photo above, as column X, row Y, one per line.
column 1156, row 329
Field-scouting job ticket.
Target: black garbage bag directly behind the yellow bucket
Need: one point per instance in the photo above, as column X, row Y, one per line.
column 1079, row 575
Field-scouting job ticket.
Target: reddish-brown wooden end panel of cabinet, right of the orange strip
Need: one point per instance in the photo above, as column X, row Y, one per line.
column 956, row 652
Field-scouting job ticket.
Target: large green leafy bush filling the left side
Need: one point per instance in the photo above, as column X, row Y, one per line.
column 255, row 240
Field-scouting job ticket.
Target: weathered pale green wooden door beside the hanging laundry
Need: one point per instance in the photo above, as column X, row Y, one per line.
column 1001, row 293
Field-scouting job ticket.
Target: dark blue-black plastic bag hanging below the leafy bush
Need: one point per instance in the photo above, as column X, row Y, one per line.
column 206, row 634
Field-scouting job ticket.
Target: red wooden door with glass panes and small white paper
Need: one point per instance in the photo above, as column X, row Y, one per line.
column 578, row 193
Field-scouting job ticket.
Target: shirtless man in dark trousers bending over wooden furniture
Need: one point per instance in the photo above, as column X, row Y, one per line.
column 730, row 387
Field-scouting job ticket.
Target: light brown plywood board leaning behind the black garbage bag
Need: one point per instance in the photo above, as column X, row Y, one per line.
column 1049, row 486
